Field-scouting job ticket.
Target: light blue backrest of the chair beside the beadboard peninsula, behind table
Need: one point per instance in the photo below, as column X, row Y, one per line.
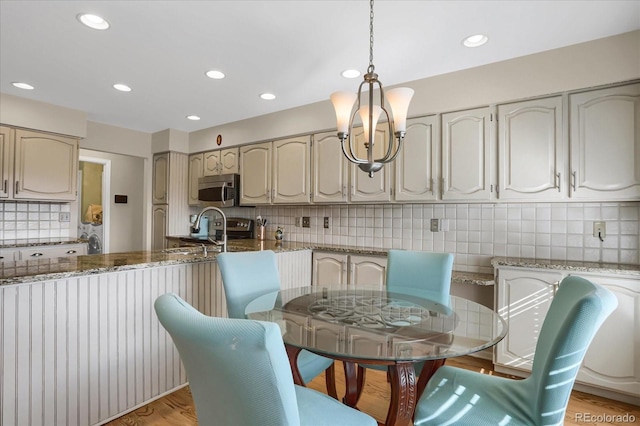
column 246, row 276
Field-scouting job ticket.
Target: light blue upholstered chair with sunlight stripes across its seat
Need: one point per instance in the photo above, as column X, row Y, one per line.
column 458, row 396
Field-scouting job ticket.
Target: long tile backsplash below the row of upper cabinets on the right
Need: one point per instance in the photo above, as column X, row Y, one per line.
column 474, row 232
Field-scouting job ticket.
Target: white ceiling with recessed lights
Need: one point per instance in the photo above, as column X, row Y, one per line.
column 295, row 49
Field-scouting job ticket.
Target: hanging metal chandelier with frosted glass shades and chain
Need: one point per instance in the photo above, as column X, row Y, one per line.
column 370, row 112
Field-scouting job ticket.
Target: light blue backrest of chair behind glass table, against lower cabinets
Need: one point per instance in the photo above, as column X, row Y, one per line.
column 420, row 273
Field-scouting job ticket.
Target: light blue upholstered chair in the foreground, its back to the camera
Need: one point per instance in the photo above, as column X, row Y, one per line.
column 239, row 372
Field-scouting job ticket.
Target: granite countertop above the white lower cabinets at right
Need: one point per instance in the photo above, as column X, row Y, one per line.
column 567, row 265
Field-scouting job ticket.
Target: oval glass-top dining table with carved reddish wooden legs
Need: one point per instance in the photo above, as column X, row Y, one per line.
column 370, row 325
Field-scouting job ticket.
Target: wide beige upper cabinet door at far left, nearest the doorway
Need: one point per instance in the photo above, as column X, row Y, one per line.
column 46, row 166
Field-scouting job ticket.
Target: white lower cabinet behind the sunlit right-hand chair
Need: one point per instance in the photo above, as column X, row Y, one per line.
column 612, row 362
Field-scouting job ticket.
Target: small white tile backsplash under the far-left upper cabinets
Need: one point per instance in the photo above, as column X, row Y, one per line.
column 22, row 220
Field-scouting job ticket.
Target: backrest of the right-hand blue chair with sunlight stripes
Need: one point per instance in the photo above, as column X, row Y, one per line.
column 577, row 311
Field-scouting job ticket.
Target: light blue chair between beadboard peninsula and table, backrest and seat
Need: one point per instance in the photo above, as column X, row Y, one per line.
column 248, row 275
